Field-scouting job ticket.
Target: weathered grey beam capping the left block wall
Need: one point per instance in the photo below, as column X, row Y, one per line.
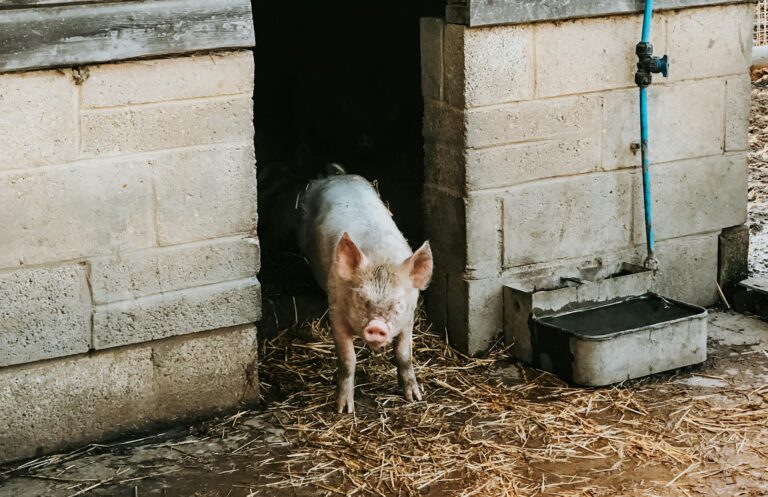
column 77, row 34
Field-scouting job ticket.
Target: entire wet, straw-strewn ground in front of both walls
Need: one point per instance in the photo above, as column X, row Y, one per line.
column 487, row 427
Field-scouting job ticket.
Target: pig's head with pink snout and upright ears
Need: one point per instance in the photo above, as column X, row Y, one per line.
column 380, row 297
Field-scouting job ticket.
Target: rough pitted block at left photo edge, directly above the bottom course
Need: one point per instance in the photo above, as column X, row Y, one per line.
column 44, row 313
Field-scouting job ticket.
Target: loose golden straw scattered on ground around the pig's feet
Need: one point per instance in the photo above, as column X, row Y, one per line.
column 475, row 435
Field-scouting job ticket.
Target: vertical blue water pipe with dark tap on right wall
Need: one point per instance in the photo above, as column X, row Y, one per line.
column 646, row 65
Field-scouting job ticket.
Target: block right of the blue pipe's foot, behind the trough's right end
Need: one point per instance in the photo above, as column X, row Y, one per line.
column 688, row 269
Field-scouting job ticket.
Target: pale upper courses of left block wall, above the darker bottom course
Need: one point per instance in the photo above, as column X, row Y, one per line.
column 159, row 223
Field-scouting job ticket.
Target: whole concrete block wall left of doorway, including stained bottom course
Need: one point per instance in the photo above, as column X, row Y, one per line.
column 127, row 228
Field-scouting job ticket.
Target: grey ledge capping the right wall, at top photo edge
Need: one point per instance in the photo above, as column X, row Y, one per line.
column 490, row 12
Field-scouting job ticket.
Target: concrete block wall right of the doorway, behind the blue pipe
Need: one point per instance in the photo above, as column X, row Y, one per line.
column 532, row 167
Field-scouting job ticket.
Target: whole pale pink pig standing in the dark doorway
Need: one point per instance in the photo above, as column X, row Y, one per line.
column 368, row 271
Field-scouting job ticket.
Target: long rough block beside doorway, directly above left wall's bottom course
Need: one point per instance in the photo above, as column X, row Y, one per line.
column 176, row 313
